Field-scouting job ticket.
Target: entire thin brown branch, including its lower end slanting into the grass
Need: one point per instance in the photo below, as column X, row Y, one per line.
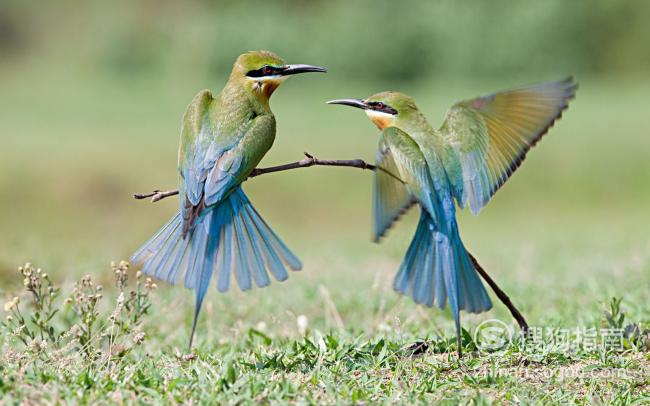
column 310, row 160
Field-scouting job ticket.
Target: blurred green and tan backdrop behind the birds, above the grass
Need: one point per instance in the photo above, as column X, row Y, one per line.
column 92, row 93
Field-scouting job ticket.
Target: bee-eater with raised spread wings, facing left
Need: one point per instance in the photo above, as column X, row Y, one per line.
column 480, row 144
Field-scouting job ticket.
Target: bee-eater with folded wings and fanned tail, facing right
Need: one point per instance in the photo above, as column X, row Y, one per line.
column 223, row 138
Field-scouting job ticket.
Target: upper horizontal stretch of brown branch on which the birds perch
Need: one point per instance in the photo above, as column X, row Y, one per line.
column 308, row 161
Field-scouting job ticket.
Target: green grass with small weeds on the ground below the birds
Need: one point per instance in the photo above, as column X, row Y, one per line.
column 129, row 349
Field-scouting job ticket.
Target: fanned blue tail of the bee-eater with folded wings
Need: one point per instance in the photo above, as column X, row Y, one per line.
column 227, row 238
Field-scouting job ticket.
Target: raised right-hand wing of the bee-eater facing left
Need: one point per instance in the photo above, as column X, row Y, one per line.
column 487, row 138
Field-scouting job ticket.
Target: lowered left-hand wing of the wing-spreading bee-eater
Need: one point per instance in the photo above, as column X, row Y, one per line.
column 401, row 179
